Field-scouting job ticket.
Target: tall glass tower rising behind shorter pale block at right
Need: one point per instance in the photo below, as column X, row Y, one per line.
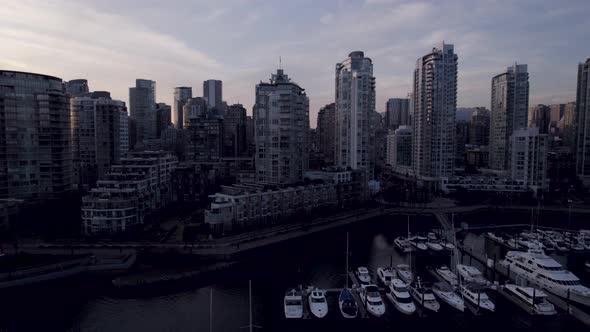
column 510, row 103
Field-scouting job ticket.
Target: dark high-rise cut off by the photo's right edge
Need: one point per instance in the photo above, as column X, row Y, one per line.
column 583, row 122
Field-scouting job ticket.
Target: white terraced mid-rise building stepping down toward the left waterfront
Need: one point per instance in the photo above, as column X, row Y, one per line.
column 138, row 185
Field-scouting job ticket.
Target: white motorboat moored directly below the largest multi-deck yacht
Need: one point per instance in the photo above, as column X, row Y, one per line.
column 530, row 299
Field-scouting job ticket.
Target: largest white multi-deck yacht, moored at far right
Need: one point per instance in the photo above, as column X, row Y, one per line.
column 545, row 272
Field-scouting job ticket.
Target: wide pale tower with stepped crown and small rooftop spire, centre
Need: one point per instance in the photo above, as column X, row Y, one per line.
column 281, row 125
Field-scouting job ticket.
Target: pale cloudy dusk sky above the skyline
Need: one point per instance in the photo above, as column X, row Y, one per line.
column 183, row 43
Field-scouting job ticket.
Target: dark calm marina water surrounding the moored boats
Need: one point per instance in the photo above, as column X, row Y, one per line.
column 319, row 260
